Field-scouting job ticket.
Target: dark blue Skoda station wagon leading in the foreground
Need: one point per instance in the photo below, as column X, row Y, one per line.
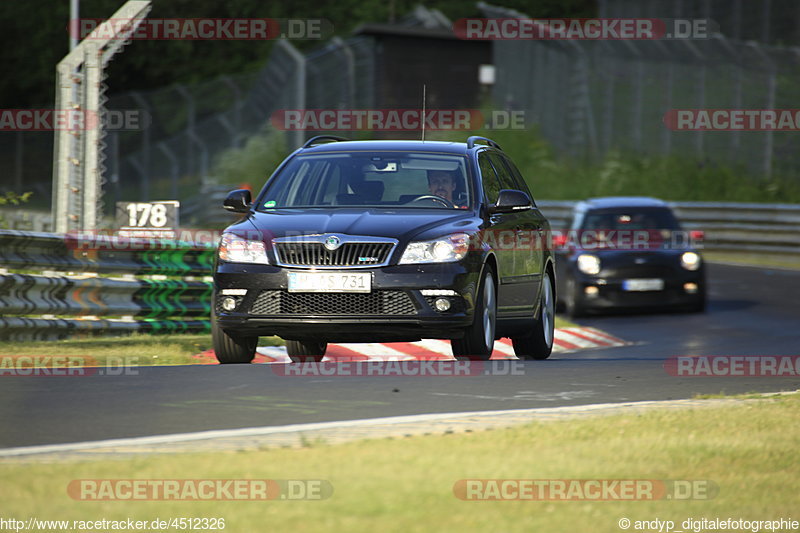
column 386, row 241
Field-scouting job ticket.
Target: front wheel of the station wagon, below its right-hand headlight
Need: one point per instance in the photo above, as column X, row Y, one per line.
column 478, row 340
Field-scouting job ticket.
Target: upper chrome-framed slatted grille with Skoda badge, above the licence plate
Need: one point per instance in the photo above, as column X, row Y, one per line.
column 348, row 254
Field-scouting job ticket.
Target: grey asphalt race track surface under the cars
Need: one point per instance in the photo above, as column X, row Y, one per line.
column 752, row 311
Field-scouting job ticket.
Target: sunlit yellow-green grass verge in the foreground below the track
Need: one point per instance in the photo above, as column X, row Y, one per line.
column 406, row 485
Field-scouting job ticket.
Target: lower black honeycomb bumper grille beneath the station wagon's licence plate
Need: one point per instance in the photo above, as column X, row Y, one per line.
column 280, row 302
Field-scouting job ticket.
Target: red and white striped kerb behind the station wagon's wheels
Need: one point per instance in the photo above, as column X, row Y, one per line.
column 566, row 340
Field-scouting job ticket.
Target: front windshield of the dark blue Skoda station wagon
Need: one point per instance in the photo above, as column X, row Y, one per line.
column 371, row 179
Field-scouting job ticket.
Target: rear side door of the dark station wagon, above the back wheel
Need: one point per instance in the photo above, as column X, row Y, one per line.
column 528, row 228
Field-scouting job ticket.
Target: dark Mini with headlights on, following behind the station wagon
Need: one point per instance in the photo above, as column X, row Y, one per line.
column 628, row 252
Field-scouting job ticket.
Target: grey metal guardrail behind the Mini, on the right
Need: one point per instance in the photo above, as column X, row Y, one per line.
column 728, row 227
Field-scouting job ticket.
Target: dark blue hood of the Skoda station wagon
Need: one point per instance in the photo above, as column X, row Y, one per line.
column 401, row 224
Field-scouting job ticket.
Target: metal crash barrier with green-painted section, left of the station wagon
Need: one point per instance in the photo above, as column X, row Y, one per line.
column 52, row 286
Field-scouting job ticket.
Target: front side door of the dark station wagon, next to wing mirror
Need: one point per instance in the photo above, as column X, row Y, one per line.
column 500, row 233
